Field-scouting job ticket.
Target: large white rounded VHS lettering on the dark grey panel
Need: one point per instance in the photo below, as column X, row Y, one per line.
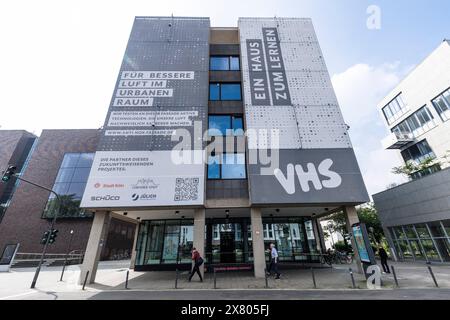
column 311, row 175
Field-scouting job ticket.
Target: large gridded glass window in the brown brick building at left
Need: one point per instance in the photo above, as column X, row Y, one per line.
column 69, row 185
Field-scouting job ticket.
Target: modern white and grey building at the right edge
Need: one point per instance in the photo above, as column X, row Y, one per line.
column 416, row 215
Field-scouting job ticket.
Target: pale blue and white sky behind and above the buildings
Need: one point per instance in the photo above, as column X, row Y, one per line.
column 59, row 59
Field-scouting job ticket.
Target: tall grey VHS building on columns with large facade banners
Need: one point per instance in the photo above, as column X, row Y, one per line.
column 275, row 157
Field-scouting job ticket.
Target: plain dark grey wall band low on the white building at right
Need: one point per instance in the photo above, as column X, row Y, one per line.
column 425, row 199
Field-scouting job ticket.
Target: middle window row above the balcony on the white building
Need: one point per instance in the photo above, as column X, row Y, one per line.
column 416, row 124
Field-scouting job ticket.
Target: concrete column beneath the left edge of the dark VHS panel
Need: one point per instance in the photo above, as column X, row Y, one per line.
column 259, row 260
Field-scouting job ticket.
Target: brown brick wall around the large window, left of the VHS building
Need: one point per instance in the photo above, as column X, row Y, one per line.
column 22, row 221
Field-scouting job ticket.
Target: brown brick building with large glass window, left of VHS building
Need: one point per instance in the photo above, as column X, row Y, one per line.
column 60, row 160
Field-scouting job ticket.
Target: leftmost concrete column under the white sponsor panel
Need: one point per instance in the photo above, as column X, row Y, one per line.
column 97, row 238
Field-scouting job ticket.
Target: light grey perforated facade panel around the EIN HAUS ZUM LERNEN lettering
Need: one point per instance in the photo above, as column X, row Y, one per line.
column 313, row 119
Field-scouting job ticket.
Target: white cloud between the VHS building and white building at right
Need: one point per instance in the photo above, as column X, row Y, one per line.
column 359, row 89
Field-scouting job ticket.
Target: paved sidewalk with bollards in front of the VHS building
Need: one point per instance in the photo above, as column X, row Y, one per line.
column 111, row 278
